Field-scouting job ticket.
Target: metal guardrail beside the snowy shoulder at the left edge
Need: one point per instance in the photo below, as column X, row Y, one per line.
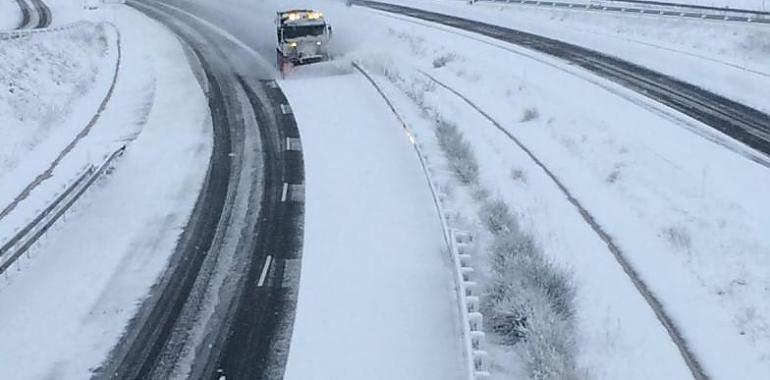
column 27, row 236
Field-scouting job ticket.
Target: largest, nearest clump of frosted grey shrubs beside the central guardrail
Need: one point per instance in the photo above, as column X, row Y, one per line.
column 529, row 302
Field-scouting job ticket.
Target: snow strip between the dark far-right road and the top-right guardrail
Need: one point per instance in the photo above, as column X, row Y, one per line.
column 731, row 59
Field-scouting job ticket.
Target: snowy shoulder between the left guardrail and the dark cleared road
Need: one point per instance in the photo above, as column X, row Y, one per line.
column 66, row 303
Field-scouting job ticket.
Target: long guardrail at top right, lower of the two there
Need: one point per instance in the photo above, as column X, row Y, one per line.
column 651, row 8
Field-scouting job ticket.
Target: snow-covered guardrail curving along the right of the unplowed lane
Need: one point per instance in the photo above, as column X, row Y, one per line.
column 457, row 243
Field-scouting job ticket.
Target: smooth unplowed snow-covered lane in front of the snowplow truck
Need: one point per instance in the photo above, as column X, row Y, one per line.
column 376, row 297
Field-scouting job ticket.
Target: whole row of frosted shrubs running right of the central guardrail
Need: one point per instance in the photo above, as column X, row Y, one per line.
column 527, row 302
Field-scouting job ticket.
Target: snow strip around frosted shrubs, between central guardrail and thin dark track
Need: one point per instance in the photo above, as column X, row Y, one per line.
column 618, row 335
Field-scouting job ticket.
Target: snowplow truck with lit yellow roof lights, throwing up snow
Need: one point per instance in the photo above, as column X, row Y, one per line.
column 303, row 36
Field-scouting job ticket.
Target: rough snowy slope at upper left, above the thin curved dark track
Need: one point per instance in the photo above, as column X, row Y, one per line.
column 43, row 77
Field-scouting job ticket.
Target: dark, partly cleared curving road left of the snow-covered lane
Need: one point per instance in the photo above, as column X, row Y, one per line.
column 224, row 308
